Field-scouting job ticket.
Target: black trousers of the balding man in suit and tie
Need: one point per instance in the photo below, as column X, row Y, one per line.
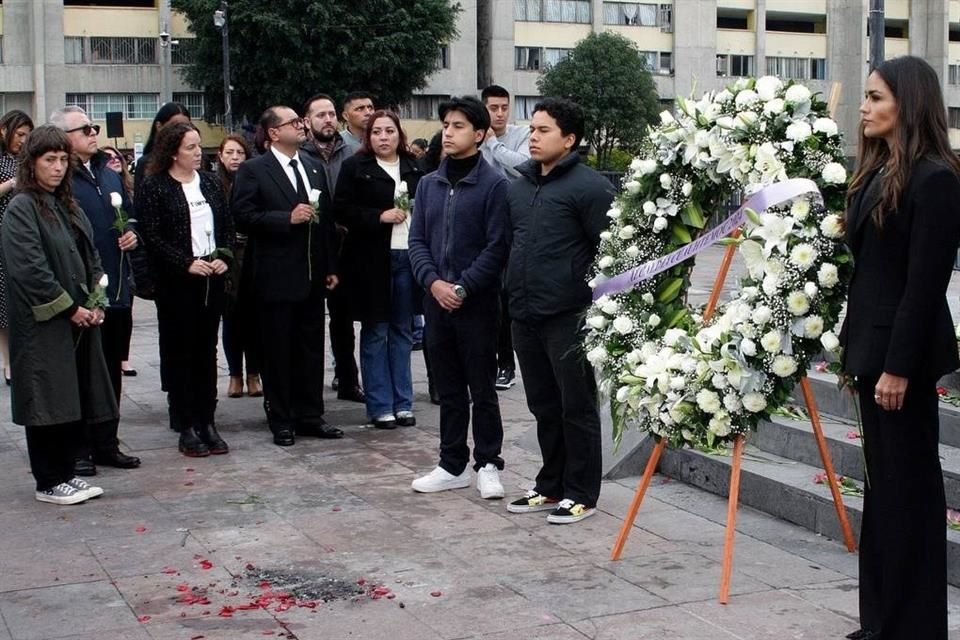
column 292, row 339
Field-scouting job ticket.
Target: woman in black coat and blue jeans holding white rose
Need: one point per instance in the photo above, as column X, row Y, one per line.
column 376, row 266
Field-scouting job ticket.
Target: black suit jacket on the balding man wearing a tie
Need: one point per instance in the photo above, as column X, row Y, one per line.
column 261, row 200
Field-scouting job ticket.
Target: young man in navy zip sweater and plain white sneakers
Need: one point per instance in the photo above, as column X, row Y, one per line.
column 458, row 250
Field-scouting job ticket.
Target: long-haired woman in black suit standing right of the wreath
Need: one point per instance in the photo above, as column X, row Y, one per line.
column 903, row 227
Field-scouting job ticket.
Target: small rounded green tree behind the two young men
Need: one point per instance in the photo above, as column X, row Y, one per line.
column 606, row 75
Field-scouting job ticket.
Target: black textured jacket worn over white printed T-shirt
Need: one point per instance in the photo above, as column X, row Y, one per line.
column 164, row 220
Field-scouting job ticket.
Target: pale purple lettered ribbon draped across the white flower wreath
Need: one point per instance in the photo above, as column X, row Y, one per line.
column 767, row 197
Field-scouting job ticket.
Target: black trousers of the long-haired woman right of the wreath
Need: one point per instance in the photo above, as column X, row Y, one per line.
column 903, row 554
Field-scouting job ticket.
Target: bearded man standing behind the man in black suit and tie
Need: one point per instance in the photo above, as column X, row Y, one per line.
column 325, row 145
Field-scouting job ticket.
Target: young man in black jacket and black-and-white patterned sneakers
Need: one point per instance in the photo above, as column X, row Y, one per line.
column 557, row 211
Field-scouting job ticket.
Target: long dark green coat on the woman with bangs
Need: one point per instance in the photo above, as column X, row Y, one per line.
column 59, row 372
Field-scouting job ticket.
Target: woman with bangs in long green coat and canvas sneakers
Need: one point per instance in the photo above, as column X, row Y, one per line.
column 60, row 377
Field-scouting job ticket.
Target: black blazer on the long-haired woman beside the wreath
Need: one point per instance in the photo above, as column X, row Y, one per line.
column 898, row 320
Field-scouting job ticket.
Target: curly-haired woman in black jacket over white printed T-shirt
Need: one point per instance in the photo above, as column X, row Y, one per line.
column 186, row 226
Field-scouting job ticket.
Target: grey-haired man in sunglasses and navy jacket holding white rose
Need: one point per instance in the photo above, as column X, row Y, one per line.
column 93, row 184
